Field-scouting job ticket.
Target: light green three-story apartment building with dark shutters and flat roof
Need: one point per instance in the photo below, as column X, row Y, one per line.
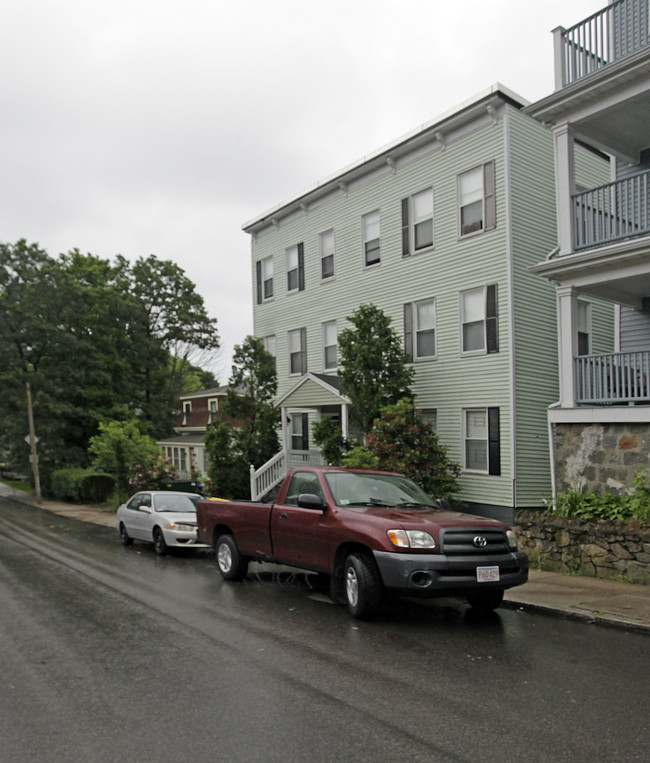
column 439, row 230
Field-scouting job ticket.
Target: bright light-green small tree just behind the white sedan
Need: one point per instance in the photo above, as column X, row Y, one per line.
column 133, row 458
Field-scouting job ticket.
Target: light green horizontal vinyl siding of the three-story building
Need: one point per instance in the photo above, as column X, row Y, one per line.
column 451, row 382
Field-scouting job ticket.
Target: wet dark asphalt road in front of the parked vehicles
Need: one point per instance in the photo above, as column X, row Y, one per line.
column 114, row 654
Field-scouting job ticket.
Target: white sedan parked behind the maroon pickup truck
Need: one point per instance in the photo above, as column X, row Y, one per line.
column 161, row 517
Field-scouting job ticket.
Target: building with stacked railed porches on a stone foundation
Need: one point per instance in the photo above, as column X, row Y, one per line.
column 601, row 423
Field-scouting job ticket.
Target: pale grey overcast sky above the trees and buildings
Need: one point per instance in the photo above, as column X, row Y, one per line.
column 160, row 126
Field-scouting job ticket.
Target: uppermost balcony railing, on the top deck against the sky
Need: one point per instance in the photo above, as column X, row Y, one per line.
column 617, row 31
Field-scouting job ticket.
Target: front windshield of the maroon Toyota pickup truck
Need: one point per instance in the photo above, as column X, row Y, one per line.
column 363, row 489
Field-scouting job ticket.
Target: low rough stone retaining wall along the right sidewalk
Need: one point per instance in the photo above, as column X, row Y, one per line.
column 598, row 549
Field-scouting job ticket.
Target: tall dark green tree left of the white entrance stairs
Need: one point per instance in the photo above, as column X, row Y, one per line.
column 249, row 436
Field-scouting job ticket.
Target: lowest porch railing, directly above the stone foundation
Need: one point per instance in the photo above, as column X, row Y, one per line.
column 614, row 379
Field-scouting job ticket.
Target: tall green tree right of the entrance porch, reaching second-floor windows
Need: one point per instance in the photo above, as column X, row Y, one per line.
column 374, row 371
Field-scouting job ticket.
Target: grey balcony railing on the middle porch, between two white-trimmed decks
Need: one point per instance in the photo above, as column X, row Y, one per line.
column 612, row 212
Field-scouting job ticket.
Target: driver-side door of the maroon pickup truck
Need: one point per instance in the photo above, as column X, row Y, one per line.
column 301, row 536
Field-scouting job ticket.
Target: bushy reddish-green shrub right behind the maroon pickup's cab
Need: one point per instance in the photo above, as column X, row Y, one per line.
column 401, row 441
